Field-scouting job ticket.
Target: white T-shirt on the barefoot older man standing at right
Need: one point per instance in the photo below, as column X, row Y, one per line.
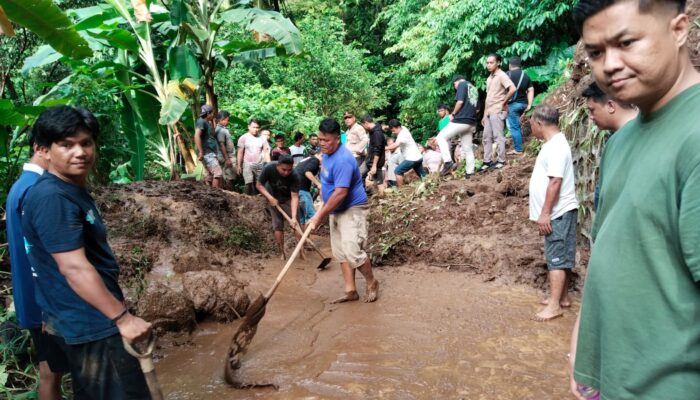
column 553, row 161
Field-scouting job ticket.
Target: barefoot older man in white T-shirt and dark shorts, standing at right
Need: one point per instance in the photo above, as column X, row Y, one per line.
column 553, row 206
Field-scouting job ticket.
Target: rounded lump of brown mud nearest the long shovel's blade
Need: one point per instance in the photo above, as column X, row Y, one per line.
column 214, row 293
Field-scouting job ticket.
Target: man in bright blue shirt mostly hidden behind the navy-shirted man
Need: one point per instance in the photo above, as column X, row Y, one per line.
column 52, row 359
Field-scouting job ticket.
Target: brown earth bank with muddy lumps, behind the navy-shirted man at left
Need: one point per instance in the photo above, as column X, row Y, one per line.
column 162, row 230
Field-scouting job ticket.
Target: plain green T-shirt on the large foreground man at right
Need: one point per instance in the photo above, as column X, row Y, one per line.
column 640, row 321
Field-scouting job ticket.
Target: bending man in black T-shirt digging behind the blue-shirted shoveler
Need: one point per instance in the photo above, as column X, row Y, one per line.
column 280, row 186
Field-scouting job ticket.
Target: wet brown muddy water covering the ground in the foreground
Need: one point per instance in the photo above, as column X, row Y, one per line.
column 433, row 334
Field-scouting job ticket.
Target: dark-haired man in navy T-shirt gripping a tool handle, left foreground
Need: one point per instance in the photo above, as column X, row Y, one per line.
column 75, row 273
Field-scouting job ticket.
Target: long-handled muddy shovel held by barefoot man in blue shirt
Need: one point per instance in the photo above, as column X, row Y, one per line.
column 244, row 335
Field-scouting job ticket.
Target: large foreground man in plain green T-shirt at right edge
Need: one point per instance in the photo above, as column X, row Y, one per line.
column 638, row 334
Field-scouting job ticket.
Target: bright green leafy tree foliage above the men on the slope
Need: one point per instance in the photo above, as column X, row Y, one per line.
column 441, row 38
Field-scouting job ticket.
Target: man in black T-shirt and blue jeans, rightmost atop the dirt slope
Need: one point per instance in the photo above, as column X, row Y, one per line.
column 520, row 103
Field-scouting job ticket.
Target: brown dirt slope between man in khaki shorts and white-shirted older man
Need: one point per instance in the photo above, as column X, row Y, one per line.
column 478, row 225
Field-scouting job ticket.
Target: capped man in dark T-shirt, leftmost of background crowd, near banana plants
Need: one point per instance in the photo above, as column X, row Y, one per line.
column 207, row 146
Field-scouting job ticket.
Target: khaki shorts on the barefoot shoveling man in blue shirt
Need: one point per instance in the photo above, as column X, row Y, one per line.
column 349, row 235
